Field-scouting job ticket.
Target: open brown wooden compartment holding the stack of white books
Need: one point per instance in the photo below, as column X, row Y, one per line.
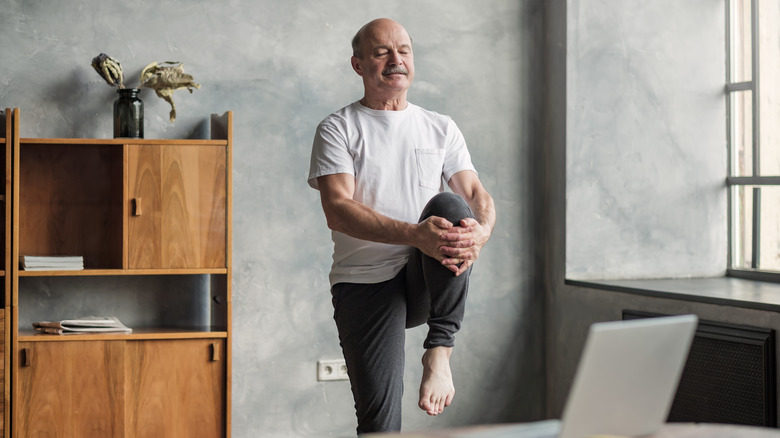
column 70, row 202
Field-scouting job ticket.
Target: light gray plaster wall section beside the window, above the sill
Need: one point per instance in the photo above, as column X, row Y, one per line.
column 646, row 139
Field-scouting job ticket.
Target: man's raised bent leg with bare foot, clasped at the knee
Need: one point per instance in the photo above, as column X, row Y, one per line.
column 436, row 296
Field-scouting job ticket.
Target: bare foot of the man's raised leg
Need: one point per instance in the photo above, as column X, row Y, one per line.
column 436, row 388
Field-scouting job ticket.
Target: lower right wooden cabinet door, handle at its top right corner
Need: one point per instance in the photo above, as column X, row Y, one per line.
column 176, row 388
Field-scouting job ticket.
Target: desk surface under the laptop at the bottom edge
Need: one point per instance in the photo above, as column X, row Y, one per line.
column 672, row 430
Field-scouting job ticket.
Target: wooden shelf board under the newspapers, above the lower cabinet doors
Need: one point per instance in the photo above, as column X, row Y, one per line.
column 29, row 335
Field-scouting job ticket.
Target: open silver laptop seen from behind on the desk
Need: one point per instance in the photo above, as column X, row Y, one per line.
column 624, row 385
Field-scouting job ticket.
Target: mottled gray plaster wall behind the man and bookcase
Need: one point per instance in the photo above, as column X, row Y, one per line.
column 282, row 66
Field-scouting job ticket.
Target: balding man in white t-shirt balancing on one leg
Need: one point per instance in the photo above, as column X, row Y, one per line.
column 378, row 164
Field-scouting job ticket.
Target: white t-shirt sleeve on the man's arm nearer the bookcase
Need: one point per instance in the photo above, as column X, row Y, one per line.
column 330, row 153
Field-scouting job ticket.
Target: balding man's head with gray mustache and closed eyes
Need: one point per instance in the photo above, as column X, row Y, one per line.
column 387, row 63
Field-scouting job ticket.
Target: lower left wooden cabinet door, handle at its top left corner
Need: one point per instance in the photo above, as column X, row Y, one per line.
column 70, row 389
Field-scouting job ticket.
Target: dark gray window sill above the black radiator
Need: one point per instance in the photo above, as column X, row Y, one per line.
column 726, row 291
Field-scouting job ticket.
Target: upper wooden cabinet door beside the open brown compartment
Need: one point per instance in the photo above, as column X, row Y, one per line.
column 177, row 196
